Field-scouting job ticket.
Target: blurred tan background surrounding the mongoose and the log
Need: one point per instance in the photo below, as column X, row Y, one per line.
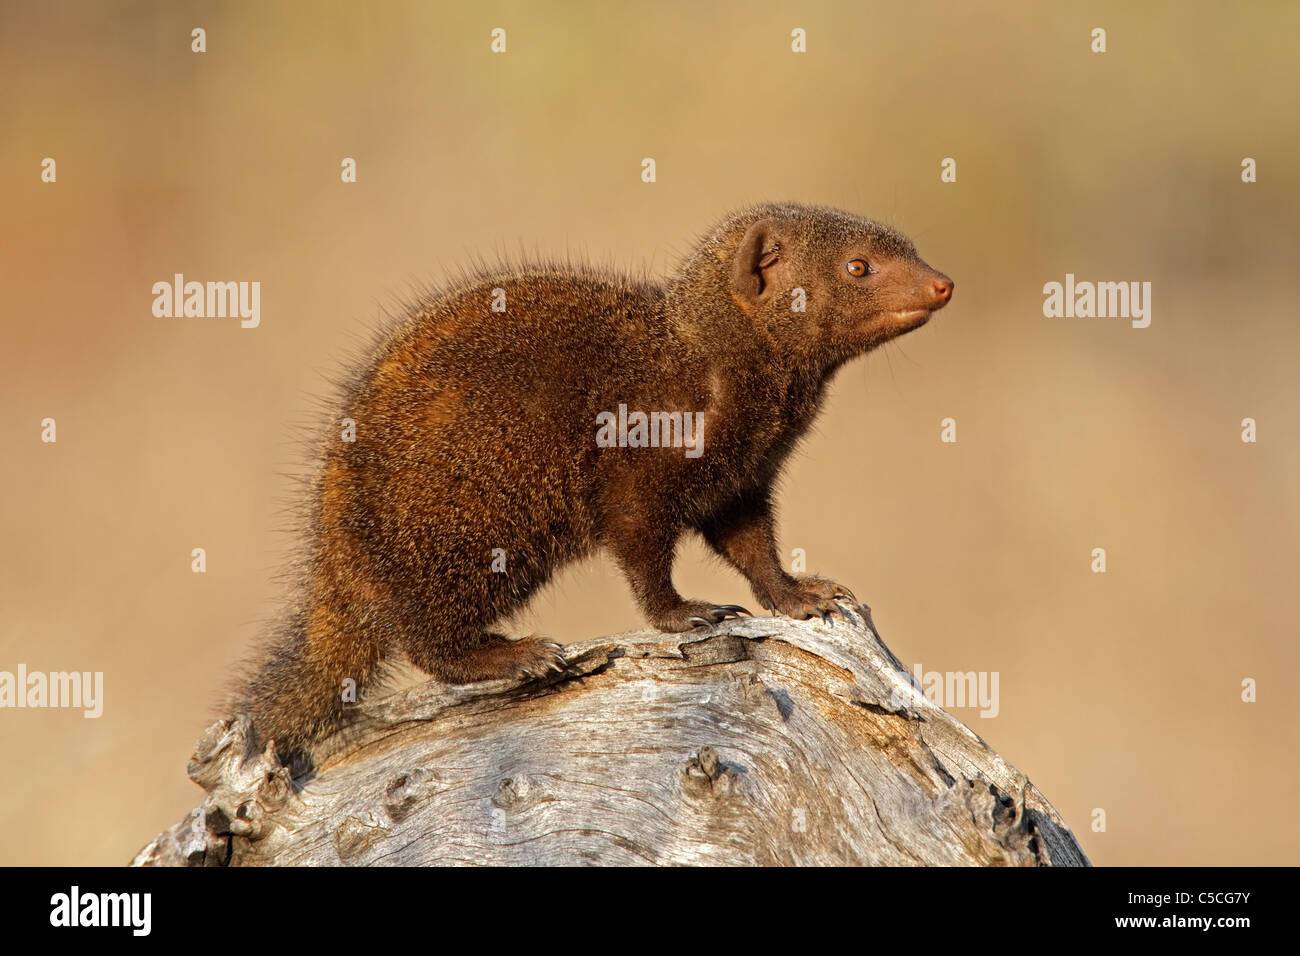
column 1119, row 693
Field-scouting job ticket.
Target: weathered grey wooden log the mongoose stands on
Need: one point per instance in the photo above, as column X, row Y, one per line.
column 762, row 741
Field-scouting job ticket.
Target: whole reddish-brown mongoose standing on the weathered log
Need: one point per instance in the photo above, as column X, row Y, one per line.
column 476, row 431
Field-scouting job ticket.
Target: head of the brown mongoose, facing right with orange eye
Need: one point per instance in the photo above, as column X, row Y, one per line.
column 826, row 283
